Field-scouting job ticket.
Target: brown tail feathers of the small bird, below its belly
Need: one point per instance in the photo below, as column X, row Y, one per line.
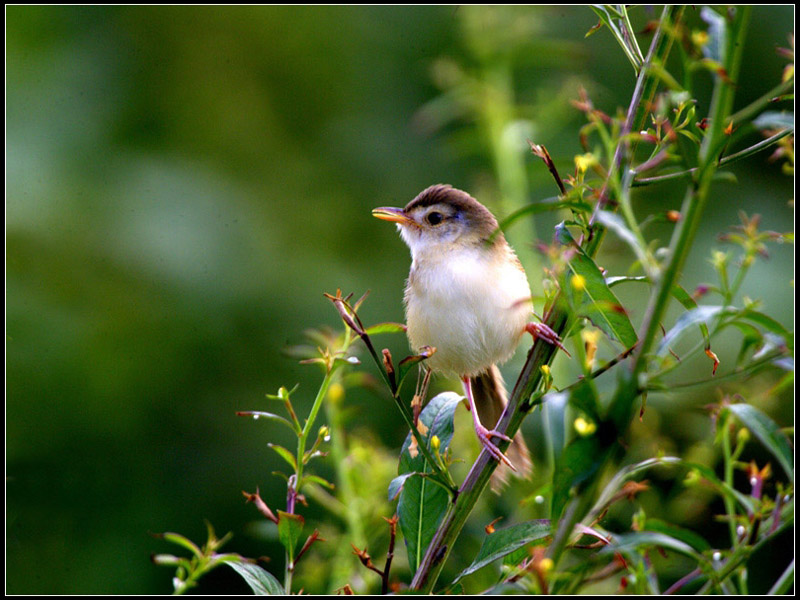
column 491, row 398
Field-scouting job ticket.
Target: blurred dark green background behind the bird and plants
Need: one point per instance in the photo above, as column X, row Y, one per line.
column 184, row 183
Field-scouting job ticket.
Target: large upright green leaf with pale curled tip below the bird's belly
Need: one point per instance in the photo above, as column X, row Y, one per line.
column 422, row 502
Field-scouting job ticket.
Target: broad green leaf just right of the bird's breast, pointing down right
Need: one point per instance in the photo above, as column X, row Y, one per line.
column 597, row 303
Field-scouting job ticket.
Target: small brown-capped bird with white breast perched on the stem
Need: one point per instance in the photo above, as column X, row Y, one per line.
column 467, row 295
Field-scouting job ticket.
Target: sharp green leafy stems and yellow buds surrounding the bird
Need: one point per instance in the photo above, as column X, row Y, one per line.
column 592, row 472
